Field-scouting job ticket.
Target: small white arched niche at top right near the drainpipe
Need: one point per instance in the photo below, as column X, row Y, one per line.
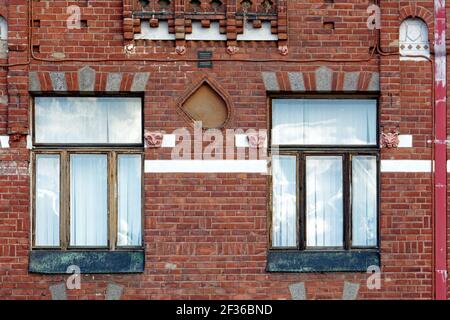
column 414, row 39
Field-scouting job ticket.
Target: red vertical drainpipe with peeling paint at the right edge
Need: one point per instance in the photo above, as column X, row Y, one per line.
column 440, row 153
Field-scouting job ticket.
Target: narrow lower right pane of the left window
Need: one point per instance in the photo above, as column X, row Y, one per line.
column 129, row 180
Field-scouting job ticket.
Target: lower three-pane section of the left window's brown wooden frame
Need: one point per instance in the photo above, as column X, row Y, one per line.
column 64, row 215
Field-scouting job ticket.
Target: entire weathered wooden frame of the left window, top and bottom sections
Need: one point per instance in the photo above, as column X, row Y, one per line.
column 64, row 151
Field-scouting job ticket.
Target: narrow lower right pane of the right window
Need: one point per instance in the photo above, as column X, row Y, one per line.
column 364, row 201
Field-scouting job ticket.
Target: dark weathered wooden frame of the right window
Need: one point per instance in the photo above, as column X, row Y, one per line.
column 301, row 152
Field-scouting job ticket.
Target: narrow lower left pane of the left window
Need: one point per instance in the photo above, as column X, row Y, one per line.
column 47, row 200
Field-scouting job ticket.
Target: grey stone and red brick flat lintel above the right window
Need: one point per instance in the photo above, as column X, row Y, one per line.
column 323, row 79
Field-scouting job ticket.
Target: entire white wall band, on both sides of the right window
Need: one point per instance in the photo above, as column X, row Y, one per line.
column 260, row 166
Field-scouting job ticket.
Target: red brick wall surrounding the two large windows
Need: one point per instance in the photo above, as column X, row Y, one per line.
column 213, row 227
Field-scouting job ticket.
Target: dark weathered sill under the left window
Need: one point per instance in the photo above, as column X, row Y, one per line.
column 90, row 262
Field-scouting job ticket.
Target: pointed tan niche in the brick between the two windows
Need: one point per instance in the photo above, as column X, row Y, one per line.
column 206, row 102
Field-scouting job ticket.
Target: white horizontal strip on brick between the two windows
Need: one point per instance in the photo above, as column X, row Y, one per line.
column 206, row 166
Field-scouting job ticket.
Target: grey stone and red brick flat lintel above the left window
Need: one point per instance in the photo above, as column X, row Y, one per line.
column 88, row 79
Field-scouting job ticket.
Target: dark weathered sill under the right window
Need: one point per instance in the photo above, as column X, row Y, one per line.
column 322, row 261
